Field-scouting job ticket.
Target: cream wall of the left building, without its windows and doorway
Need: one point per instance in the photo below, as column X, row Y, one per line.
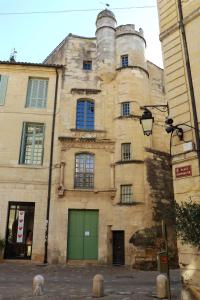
column 20, row 182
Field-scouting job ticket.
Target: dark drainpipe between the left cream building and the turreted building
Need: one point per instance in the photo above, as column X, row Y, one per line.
column 50, row 171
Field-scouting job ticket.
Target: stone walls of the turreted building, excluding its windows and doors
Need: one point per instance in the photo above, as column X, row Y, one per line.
column 109, row 84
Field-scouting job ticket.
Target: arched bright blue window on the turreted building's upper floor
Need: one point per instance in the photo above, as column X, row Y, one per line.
column 85, row 114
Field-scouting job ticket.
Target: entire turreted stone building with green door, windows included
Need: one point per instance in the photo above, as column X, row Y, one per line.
column 105, row 194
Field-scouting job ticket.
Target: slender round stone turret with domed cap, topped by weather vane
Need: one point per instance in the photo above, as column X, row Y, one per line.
column 106, row 49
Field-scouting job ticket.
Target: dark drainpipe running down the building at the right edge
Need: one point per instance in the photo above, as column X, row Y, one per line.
column 189, row 74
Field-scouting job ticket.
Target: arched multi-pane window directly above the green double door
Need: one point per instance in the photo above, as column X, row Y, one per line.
column 84, row 171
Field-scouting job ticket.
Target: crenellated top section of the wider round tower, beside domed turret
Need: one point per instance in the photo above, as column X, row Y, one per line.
column 130, row 43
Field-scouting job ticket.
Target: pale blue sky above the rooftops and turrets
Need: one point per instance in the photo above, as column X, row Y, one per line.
column 34, row 36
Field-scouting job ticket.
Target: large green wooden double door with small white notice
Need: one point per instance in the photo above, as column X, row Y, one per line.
column 83, row 234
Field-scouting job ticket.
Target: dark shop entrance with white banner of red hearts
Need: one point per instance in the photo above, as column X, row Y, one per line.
column 19, row 233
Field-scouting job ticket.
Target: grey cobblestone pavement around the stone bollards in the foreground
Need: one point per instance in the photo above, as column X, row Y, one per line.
column 73, row 282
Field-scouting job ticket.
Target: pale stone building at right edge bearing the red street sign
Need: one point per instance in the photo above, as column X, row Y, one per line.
column 179, row 34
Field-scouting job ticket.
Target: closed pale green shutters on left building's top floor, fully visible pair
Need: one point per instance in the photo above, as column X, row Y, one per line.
column 37, row 92
